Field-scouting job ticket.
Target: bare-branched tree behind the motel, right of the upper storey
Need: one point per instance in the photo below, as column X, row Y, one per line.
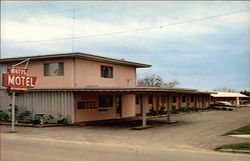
column 156, row 81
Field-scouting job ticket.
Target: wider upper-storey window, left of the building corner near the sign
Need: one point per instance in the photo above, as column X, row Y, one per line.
column 53, row 69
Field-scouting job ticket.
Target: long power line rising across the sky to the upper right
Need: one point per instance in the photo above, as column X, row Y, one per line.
column 132, row 30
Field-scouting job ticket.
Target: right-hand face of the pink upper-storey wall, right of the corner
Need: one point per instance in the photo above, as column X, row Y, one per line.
column 88, row 73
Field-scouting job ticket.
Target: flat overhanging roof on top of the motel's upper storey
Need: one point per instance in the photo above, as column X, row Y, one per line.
column 78, row 55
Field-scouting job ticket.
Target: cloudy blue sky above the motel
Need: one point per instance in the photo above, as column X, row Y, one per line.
column 203, row 45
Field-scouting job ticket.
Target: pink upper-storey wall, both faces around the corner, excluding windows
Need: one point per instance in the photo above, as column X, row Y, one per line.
column 82, row 73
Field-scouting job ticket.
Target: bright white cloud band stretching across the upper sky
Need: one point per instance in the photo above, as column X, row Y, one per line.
column 45, row 27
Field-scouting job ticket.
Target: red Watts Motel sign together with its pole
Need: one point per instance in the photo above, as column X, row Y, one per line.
column 17, row 80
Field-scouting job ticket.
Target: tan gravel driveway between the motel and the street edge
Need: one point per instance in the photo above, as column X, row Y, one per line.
column 201, row 130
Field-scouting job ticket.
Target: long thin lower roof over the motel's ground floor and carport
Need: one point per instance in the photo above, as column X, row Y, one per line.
column 125, row 89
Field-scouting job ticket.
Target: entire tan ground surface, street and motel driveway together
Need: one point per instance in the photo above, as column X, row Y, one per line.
column 192, row 139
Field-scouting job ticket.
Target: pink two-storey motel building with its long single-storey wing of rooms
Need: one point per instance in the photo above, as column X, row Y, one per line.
column 84, row 87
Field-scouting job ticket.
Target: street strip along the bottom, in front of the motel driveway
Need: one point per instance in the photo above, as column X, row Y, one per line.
column 18, row 149
